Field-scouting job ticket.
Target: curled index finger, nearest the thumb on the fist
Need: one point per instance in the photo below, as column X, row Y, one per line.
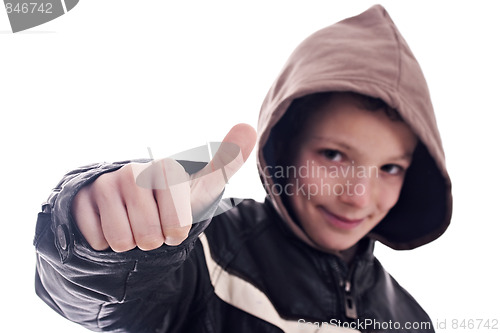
column 174, row 203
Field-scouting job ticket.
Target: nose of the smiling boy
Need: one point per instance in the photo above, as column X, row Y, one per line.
column 358, row 191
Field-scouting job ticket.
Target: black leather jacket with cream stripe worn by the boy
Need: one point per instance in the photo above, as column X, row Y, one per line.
column 246, row 267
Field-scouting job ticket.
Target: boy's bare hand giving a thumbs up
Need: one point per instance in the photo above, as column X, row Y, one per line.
column 145, row 205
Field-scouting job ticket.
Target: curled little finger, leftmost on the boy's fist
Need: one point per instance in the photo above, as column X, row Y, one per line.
column 88, row 221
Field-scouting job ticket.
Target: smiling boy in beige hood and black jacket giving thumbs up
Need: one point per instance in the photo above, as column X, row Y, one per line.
column 349, row 153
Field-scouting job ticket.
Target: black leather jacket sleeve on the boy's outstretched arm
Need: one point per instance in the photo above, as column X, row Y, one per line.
column 106, row 291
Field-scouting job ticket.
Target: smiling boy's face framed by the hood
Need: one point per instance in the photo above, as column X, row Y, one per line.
column 350, row 166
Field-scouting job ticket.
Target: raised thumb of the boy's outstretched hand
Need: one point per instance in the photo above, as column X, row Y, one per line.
column 229, row 158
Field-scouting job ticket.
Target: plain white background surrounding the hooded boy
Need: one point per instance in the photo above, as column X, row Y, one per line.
column 111, row 78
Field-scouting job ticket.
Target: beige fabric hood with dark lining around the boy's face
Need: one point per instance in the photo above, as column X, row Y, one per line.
column 366, row 54
